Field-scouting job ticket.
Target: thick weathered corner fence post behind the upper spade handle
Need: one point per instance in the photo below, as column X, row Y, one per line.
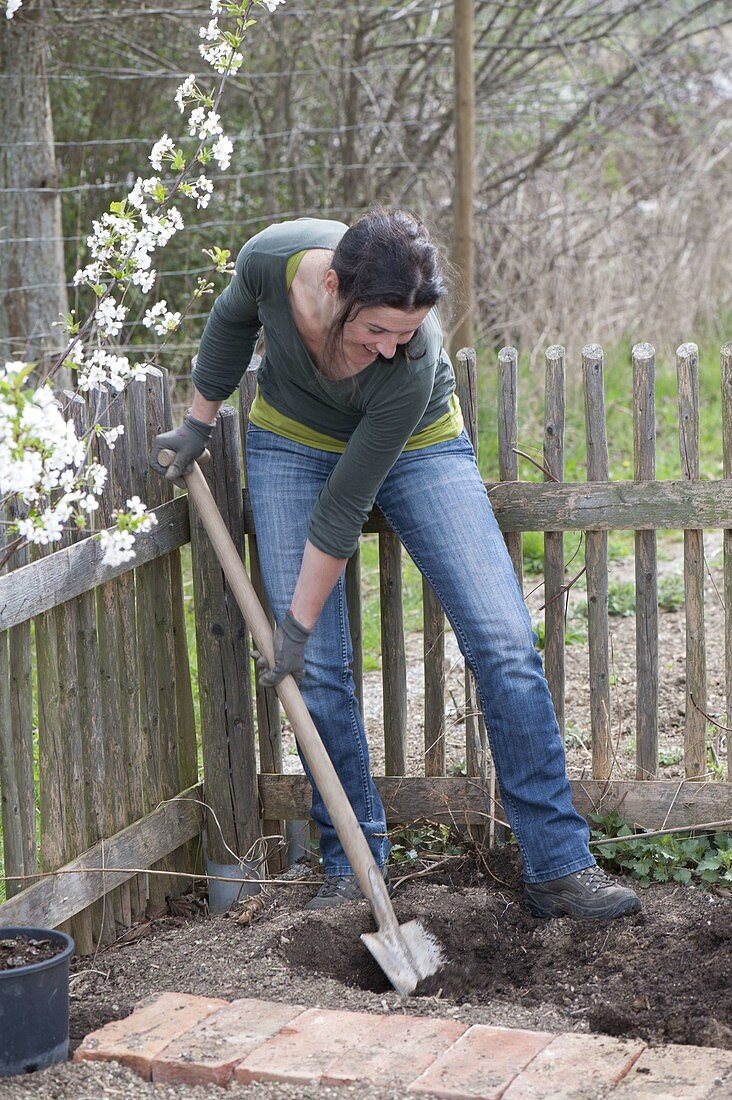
column 224, row 667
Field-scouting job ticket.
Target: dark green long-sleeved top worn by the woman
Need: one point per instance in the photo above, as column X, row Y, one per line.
column 374, row 413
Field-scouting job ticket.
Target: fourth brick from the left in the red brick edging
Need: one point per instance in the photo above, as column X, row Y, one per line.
column 398, row 1050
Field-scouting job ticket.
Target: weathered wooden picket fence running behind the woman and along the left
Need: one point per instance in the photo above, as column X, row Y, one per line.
column 119, row 751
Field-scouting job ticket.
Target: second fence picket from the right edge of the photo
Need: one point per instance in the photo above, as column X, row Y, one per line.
column 695, row 728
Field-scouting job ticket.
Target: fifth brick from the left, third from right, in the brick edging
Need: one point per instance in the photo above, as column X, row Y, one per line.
column 482, row 1064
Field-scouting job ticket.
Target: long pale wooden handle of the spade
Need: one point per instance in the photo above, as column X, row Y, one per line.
column 342, row 813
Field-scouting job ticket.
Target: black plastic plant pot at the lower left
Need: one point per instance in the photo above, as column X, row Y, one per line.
column 35, row 1007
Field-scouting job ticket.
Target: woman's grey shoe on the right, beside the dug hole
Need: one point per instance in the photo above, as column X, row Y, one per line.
column 589, row 894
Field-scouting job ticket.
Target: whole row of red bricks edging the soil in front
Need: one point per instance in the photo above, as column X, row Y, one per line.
column 196, row 1040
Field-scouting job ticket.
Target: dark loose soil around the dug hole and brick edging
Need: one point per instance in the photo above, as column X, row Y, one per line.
column 664, row 975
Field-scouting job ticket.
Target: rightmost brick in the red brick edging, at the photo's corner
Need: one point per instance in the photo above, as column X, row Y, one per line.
column 679, row 1073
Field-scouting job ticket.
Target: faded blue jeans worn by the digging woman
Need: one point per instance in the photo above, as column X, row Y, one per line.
column 436, row 502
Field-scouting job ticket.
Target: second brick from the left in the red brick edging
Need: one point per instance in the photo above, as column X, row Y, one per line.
column 210, row 1052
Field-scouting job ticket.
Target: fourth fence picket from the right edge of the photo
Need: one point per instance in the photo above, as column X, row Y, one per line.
column 596, row 558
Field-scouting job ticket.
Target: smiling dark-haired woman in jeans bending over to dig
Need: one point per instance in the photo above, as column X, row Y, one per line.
column 356, row 404
